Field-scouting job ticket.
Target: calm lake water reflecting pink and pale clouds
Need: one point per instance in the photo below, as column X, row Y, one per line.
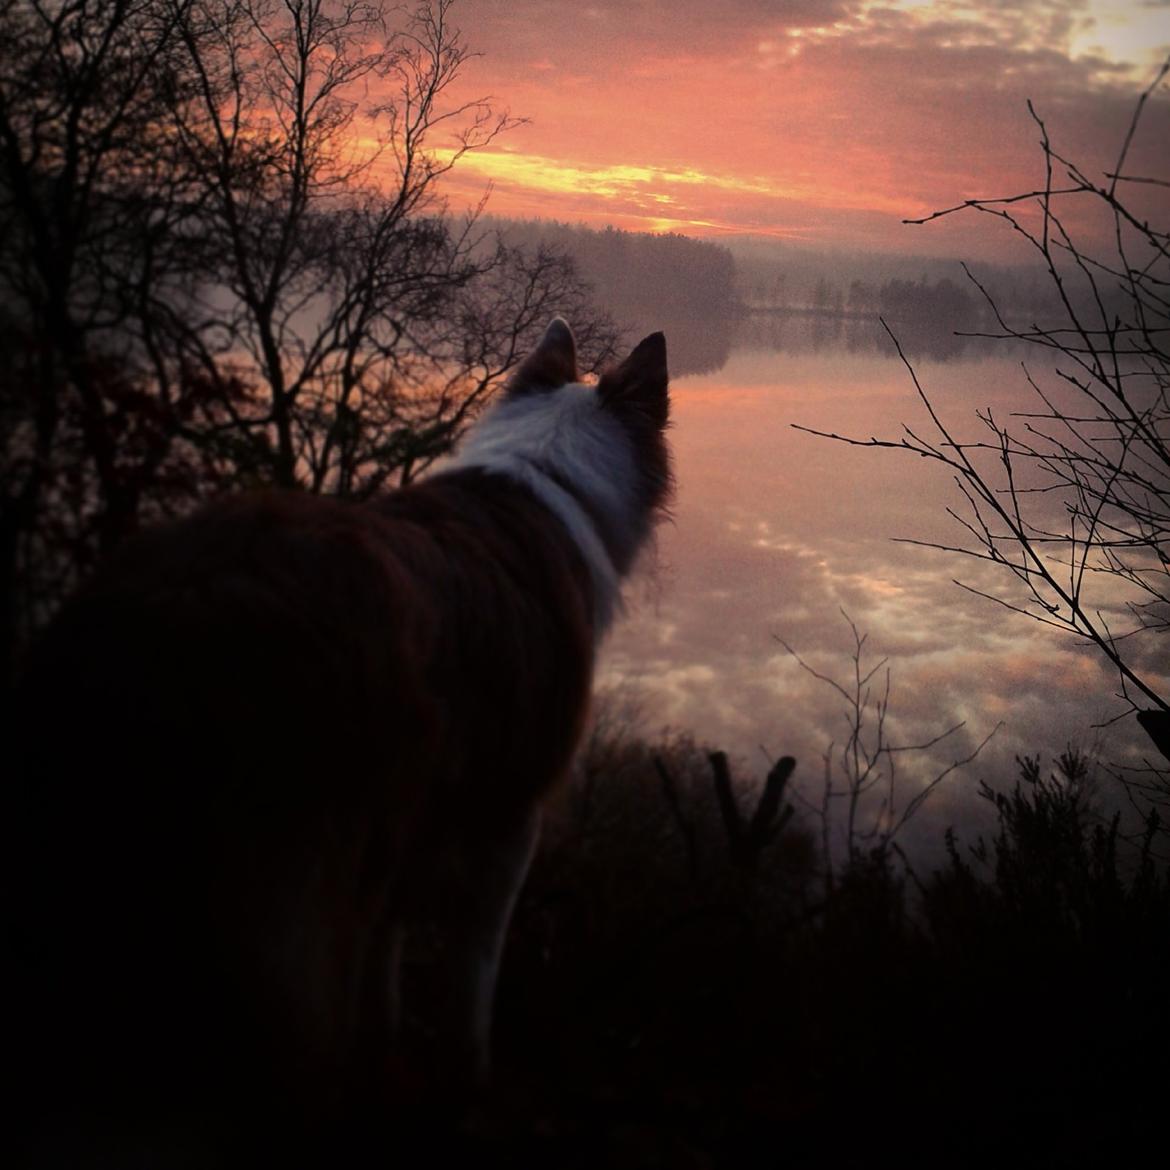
column 775, row 533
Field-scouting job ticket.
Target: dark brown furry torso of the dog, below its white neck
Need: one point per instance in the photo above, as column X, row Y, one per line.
column 217, row 717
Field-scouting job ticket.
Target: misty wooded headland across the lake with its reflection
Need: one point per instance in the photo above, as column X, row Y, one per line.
column 685, row 287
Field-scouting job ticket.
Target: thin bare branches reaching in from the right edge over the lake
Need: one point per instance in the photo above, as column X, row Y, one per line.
column 1071, row 498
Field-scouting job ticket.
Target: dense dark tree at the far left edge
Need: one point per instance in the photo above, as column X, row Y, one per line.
column 81, row 90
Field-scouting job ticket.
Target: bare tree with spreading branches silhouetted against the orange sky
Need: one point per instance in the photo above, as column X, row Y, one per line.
column 308, row 125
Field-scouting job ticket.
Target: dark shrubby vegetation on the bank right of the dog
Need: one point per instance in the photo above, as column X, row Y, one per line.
column 675, row 999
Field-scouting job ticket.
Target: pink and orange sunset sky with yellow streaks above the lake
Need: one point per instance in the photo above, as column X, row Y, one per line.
column 825, row 122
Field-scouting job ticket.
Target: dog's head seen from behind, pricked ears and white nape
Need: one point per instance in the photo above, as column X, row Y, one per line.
column 602, row 444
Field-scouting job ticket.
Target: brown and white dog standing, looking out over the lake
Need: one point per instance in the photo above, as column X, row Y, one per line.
column 264, row 742
